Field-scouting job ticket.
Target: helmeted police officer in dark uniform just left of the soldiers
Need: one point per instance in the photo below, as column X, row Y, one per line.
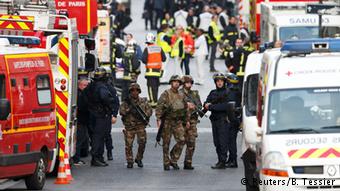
column 103, row 106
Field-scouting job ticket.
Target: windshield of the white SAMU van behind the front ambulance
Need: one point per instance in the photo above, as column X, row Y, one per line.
column 304, row 32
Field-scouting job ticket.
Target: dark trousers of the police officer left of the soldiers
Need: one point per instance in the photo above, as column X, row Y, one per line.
column 101, row 129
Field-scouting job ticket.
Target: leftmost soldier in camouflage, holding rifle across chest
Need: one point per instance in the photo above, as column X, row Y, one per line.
column 135, row 124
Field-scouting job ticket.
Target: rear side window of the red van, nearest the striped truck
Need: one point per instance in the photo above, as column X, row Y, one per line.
column 44, row 90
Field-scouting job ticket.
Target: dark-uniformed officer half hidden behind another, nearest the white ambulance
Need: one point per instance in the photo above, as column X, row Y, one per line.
column 235, row 95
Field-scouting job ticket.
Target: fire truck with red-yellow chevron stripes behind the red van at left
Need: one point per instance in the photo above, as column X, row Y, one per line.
column 59, row 36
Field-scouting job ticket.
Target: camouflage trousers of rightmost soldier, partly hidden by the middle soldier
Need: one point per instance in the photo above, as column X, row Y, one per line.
column 190, row 141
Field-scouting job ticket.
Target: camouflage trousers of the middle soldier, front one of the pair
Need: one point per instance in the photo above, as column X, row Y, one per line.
column 175, row 128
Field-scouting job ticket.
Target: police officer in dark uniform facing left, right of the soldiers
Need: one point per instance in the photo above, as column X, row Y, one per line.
column 217, row 102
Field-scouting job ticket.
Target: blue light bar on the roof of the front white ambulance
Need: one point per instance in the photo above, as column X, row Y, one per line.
column 311, row 45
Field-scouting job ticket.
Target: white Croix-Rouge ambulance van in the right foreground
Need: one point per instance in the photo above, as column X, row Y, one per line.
column 299, row 114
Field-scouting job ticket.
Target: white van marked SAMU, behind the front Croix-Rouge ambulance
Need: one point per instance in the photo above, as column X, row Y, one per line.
column 289, row 21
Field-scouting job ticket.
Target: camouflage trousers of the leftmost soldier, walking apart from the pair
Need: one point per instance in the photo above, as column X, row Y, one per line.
column 130, row 133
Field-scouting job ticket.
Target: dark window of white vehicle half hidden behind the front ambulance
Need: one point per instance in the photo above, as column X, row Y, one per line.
column 251, row 94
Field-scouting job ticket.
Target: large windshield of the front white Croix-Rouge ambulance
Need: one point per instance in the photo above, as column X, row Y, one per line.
column 315, row 110
